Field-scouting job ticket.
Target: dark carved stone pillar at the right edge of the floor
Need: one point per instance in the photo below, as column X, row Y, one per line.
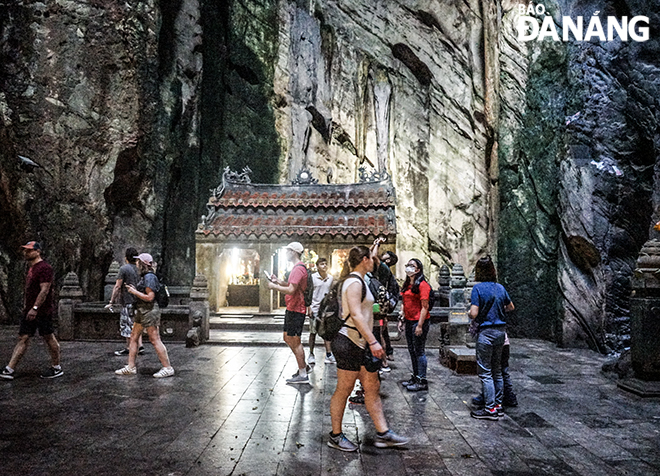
column 645, row 323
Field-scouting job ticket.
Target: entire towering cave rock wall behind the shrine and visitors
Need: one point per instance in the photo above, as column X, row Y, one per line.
column 494, row 145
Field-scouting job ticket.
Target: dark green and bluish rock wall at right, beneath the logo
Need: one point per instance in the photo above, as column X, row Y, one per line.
column 578, row 166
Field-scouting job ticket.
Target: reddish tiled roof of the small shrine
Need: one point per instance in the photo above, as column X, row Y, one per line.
column 246, row 209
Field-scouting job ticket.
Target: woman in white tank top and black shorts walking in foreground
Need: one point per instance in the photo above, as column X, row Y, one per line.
column 355, row 346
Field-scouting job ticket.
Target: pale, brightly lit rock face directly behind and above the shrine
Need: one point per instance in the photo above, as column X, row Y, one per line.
column 395, row 87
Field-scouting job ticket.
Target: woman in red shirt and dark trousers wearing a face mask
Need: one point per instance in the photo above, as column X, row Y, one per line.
column 415, row 299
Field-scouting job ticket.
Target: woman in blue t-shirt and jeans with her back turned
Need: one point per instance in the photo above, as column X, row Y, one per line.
column 489, row 303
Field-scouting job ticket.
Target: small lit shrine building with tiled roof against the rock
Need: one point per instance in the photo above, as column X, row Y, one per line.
column 243, row 235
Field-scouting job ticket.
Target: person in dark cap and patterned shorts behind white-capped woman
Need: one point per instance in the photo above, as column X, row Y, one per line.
column 128, row 275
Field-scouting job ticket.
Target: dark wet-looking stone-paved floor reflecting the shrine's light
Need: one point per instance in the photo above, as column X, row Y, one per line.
column 228, row 411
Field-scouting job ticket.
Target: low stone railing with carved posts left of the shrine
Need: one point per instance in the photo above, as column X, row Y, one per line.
column 186, row 318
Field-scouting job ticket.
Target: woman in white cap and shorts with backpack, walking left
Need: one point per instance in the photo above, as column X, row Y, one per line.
column 147, row 316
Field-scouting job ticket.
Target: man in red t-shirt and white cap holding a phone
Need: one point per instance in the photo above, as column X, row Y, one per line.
column 294, row 317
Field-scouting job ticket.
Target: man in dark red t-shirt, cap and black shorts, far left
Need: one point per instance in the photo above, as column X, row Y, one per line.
column 37, row 313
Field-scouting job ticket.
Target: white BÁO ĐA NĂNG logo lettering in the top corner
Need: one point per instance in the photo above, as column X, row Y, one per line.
column 579, row 29
